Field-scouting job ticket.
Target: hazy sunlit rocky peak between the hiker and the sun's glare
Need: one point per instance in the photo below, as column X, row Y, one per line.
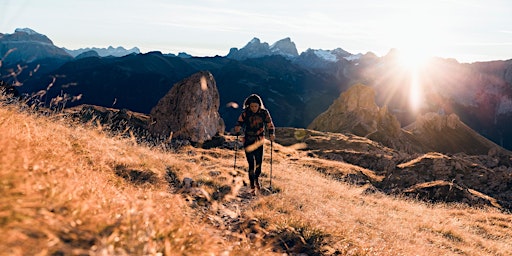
column 356, row 112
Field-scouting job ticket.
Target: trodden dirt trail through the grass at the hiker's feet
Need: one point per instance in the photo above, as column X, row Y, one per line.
column 221, row 195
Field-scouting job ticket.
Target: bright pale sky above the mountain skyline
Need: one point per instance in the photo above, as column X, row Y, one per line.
column 467, row 30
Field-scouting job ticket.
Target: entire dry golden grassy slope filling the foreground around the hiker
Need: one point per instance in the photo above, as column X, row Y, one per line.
column 70, row 189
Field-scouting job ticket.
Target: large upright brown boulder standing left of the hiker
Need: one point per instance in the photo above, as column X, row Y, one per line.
column 190, row 110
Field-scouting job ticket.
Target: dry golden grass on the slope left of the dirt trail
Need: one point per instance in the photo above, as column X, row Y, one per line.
column 60, row 194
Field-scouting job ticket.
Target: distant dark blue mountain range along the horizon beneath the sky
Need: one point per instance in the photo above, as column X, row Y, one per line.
column 297, row 88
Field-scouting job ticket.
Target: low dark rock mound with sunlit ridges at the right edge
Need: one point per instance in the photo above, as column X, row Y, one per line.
column 473, row 180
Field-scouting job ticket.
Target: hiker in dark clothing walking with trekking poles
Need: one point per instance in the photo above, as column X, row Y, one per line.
column 253, row 119
